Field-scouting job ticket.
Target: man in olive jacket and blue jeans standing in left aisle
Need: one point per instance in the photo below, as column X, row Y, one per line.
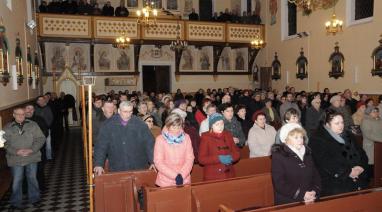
column 24, row 140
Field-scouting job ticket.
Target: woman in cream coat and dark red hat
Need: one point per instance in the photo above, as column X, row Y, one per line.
column 261, row 136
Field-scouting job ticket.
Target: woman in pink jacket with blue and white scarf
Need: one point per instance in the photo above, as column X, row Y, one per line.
column 173, row 154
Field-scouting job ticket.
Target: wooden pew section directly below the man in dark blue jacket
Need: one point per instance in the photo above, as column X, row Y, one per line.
column 118, row 191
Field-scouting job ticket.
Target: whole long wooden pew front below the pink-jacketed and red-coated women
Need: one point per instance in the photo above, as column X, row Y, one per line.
column 207, row 196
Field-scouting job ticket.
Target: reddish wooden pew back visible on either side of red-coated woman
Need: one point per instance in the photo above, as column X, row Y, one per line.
column 245, row 167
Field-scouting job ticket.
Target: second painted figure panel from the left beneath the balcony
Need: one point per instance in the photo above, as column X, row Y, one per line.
column 79, row 57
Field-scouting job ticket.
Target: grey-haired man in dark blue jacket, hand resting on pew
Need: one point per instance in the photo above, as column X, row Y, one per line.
column 125, row 140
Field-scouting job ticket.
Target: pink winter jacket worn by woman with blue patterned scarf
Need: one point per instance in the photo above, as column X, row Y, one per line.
column 173, row 159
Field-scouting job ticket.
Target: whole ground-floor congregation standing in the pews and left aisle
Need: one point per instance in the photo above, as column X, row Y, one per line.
column 311, row 137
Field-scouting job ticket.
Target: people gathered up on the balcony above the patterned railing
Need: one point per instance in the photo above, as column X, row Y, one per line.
column 83, row 7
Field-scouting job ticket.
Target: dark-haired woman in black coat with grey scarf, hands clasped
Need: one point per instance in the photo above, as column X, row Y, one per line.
column 339, row 160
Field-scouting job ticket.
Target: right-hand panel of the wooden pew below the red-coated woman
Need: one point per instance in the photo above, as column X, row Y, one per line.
column 242, row 192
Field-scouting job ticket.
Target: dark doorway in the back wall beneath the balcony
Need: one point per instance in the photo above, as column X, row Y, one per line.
column 156, row 78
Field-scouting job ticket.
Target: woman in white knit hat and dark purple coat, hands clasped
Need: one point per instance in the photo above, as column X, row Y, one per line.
column 295, row 177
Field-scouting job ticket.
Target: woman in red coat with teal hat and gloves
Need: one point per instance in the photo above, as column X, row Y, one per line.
column 217, row 151
